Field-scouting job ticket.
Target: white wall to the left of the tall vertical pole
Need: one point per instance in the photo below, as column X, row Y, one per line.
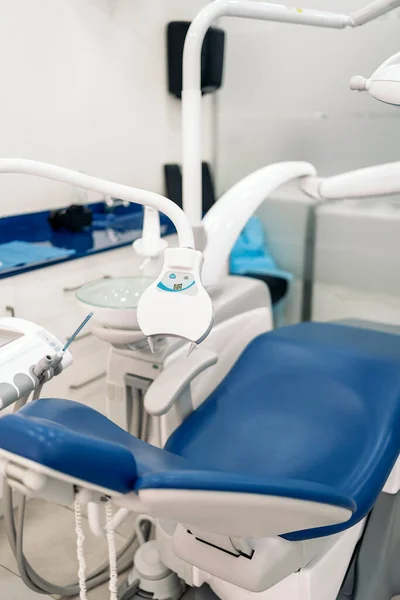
column 83, row 85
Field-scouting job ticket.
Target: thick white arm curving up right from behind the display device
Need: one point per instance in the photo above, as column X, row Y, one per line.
column 225, row 220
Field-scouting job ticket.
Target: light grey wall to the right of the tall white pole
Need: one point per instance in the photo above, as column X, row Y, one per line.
column 286, row 95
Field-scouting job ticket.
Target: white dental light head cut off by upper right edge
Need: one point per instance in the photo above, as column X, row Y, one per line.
column 384, row 83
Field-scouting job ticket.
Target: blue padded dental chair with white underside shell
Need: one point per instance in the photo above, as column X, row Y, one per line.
column 296, row 442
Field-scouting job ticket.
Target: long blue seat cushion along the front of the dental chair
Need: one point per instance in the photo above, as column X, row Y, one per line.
column 76, row 440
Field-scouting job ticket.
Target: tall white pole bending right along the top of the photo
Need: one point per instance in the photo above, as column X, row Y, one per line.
column 191, row 93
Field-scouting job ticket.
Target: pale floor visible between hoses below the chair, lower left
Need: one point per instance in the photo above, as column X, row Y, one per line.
column 50, row 546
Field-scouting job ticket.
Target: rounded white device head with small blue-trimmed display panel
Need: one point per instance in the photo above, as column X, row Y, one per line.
column 177, row 304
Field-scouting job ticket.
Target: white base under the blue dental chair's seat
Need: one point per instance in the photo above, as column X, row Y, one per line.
column 276, row 570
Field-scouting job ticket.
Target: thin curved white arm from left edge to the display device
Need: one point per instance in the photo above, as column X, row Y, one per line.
column 107, row 188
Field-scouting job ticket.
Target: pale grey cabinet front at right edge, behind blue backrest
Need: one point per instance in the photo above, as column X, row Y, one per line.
column 357, row 261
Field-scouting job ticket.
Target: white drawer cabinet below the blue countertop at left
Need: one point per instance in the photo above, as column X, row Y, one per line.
column 47, row 297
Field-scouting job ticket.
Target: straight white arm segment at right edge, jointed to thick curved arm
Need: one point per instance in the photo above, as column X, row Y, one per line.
column 379, row 180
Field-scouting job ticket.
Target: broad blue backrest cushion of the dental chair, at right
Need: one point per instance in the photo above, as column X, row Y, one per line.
column 314, row 402
